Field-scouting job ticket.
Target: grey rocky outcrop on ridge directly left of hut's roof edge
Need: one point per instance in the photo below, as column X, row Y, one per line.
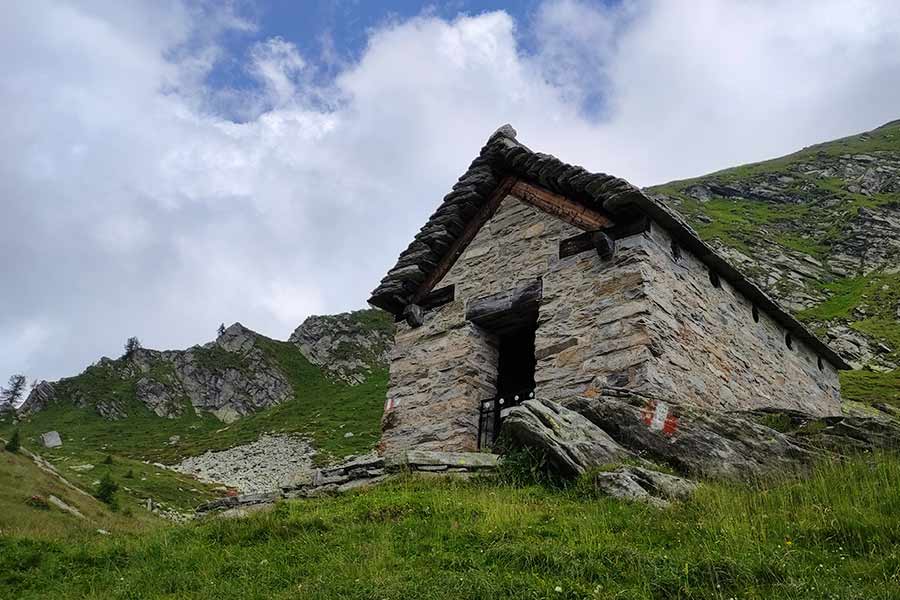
column 347, row 345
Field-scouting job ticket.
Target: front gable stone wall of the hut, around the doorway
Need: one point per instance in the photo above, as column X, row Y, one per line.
column 590, row 333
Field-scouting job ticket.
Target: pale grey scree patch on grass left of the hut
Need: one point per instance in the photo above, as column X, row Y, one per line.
column 261, row 466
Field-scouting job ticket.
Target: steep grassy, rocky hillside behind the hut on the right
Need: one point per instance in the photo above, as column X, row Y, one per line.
column 820, row 231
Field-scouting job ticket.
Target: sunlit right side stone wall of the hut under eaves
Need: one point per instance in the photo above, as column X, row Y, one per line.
column 712, row 353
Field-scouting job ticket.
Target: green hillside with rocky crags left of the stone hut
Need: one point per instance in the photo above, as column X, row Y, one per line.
column 163, row 406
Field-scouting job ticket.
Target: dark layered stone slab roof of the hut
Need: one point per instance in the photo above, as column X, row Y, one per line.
column 503, row 156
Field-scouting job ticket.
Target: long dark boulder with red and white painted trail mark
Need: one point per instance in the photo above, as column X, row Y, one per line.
column 693, row 441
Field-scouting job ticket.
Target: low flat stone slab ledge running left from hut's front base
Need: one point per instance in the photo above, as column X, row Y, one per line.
column 360, row 472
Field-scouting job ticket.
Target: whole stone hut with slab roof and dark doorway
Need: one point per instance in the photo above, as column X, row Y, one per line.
column 537, row 278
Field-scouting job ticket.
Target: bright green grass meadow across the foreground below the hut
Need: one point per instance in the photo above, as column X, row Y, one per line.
column 835, row 535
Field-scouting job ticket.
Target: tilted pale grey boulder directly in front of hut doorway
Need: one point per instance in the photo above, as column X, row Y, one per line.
column 571, row 443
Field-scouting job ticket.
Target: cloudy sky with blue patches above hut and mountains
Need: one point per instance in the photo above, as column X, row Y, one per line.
column 169, row 165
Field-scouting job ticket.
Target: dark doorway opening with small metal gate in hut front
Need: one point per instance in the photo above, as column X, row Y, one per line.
column 515, row 378
